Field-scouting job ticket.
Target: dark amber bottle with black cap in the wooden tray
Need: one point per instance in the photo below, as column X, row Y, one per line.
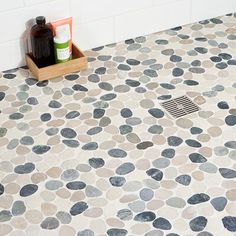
column 42, row 43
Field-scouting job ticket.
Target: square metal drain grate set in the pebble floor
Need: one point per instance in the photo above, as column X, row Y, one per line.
column 180, row 106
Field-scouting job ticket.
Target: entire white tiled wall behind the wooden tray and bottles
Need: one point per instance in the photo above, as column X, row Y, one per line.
column 99, row 22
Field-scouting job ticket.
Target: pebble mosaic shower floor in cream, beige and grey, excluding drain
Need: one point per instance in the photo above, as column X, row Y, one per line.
column 94, row 154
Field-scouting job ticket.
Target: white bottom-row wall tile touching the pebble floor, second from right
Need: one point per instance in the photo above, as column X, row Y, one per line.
column 151, row 20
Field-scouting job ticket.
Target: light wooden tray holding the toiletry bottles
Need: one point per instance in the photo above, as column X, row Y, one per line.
column 78, row 62
